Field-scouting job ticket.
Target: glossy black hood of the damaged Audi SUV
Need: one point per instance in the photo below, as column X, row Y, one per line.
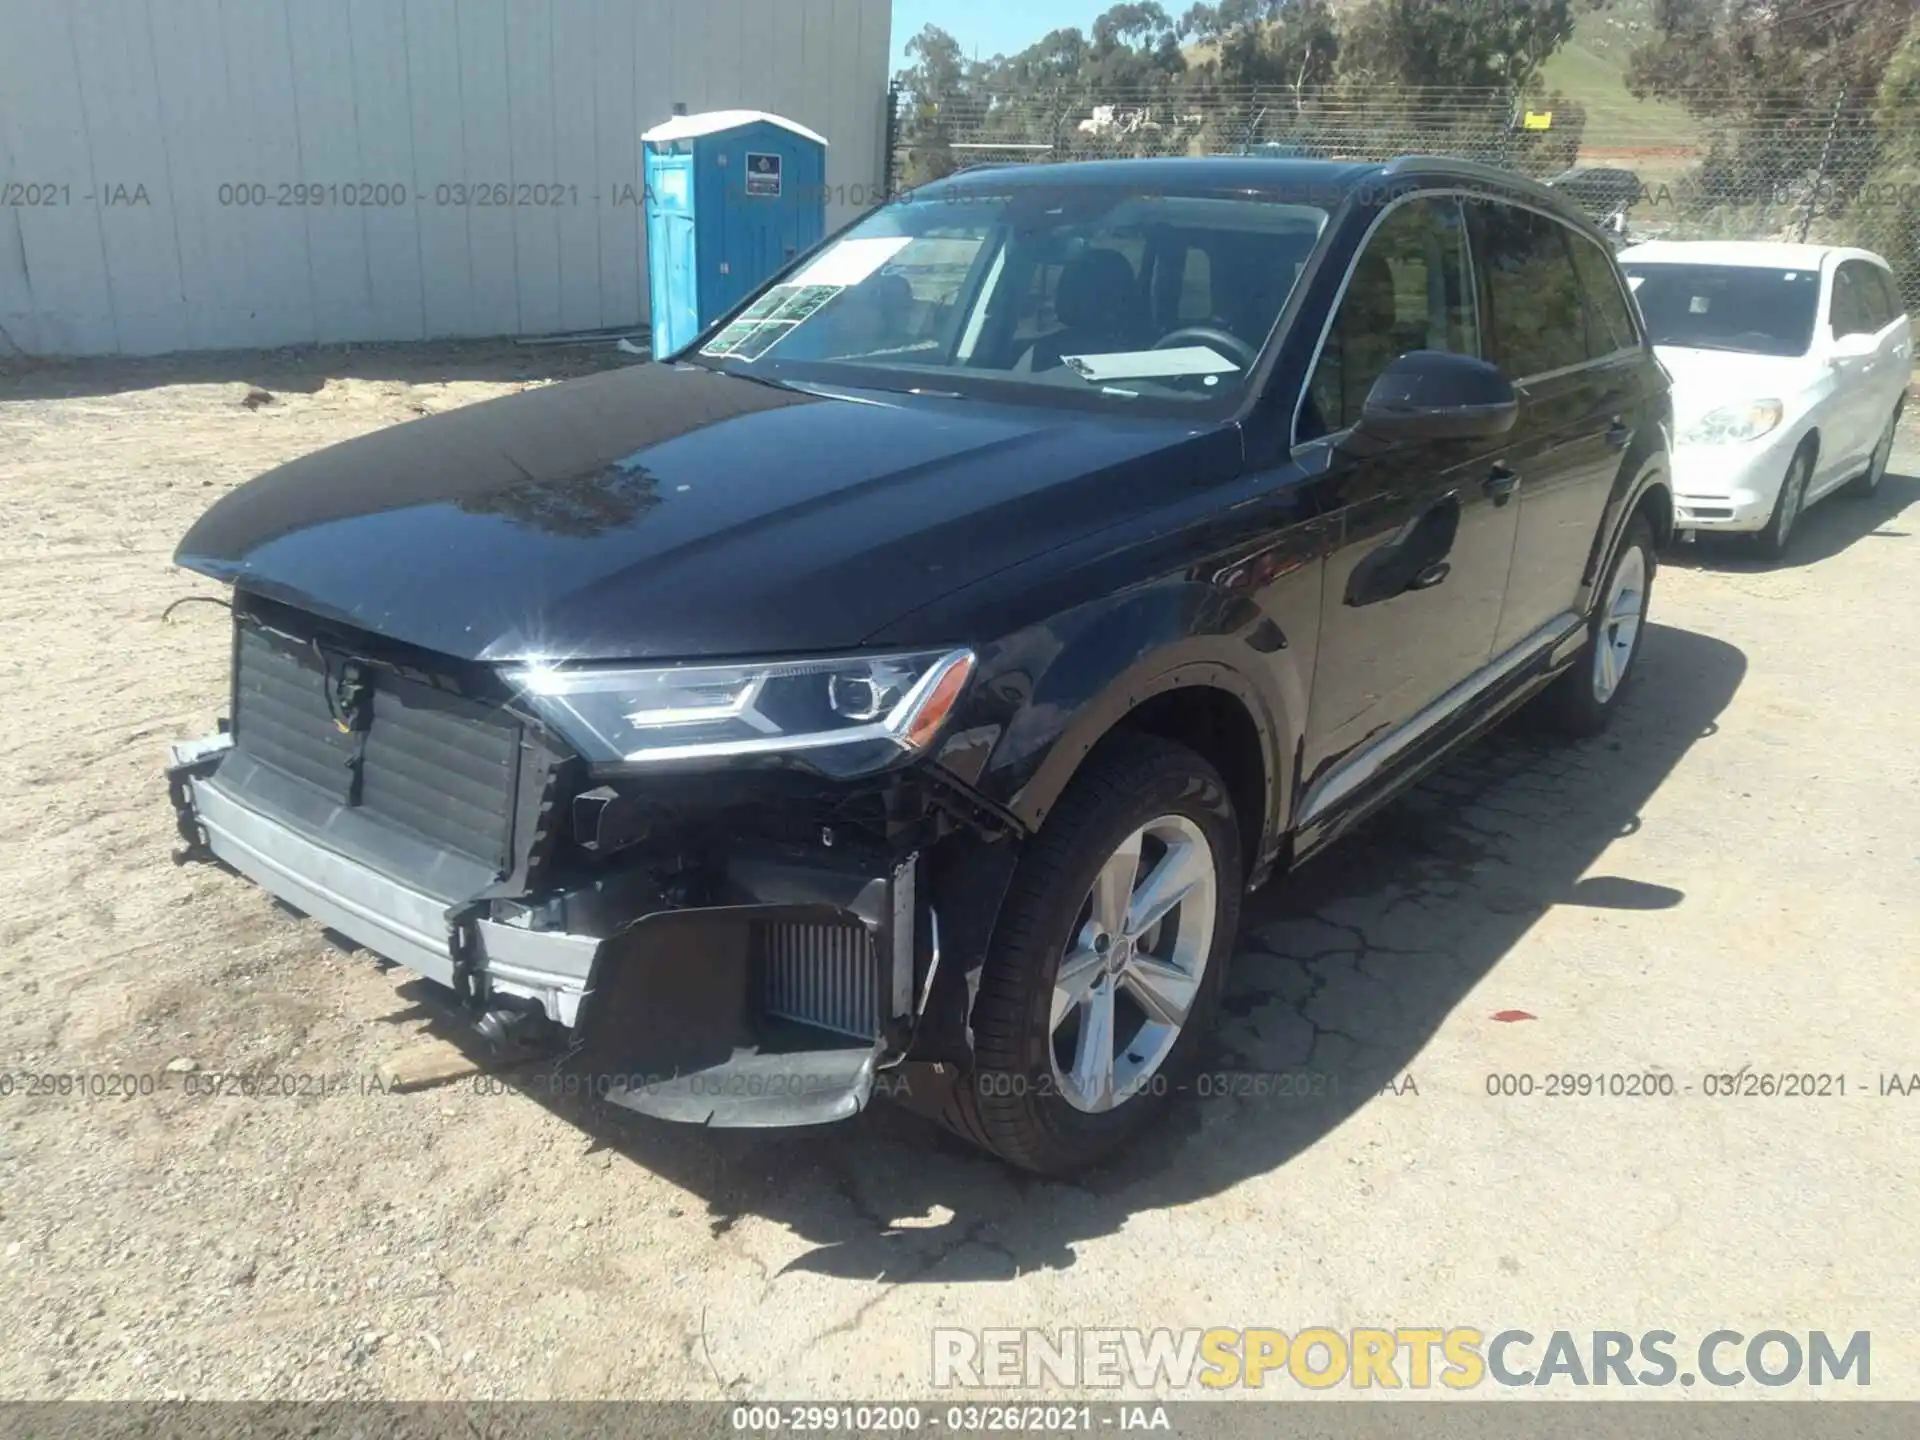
column 673, row 512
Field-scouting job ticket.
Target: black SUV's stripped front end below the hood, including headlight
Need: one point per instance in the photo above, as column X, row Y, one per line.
column 719, row 880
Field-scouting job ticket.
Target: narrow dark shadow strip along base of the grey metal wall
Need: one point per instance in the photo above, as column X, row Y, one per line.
column 306, row 370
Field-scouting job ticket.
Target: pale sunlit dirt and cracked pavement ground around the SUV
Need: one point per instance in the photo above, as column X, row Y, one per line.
column 1729, row 878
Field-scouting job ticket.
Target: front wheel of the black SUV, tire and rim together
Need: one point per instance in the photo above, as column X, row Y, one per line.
column 1020, row 1103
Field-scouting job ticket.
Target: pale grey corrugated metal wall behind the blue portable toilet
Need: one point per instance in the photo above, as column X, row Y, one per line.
column 124, row 120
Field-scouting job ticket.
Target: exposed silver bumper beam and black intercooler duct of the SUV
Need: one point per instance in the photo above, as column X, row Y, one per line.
column 775, row 1005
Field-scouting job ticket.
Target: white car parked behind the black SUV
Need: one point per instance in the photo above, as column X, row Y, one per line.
column 1790, row 368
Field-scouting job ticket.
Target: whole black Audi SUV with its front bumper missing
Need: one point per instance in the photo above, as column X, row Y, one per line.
column 900, row 688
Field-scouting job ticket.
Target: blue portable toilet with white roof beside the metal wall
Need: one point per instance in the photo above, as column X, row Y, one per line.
column 732, row 197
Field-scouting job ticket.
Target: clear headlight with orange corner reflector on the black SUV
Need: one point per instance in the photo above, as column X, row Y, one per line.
column 853, row 713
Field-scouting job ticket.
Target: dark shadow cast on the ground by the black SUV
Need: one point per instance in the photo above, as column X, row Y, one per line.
column 1343, row 974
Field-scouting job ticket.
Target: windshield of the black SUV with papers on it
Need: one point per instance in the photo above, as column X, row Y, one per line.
column 1045, row 291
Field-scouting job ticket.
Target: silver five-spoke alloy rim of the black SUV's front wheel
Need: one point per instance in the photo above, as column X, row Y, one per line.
column 1128, row 978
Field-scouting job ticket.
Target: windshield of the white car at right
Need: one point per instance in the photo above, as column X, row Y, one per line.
column 1744, row 308
